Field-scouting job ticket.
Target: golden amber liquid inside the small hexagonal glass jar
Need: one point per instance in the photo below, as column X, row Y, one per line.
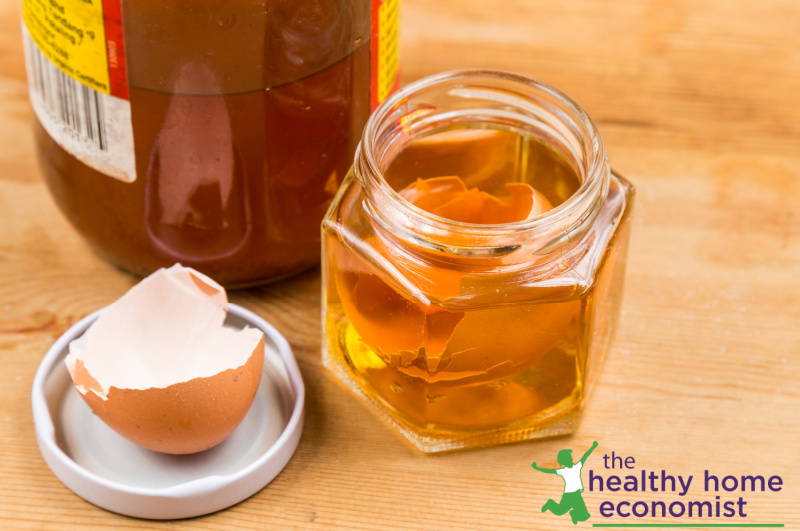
column 461, row 362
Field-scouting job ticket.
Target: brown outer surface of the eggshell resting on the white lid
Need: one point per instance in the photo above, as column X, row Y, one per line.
column 182, row 418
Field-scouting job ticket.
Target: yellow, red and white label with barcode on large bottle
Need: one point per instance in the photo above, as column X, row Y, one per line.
column 75, row 59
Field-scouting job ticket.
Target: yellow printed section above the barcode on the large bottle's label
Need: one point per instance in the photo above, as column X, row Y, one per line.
column 71, row 34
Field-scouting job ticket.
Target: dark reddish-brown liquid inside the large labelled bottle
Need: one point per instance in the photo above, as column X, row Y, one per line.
column 245, row 118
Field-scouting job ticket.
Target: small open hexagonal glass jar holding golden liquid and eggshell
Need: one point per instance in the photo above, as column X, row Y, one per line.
column 466, row 334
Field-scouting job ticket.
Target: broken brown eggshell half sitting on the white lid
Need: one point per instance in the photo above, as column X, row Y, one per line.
column 159, row 367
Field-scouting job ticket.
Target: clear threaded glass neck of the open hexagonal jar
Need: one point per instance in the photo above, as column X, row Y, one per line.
column 509, row 96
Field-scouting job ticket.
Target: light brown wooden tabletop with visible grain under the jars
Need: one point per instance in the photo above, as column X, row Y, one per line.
column 698, row 105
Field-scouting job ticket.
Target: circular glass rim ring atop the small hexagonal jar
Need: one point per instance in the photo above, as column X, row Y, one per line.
column 591, row 191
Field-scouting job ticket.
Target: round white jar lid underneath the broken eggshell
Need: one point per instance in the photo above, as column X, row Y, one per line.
column 107, row 470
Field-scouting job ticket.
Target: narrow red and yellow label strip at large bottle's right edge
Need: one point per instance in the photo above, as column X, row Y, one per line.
column 385, row 49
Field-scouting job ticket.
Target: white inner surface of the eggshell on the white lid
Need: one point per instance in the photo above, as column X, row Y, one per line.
column 167, row 329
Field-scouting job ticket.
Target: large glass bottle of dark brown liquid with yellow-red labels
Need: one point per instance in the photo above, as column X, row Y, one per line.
column 207, row 132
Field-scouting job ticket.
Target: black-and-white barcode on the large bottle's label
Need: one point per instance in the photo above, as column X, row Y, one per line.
column 78, row 107
